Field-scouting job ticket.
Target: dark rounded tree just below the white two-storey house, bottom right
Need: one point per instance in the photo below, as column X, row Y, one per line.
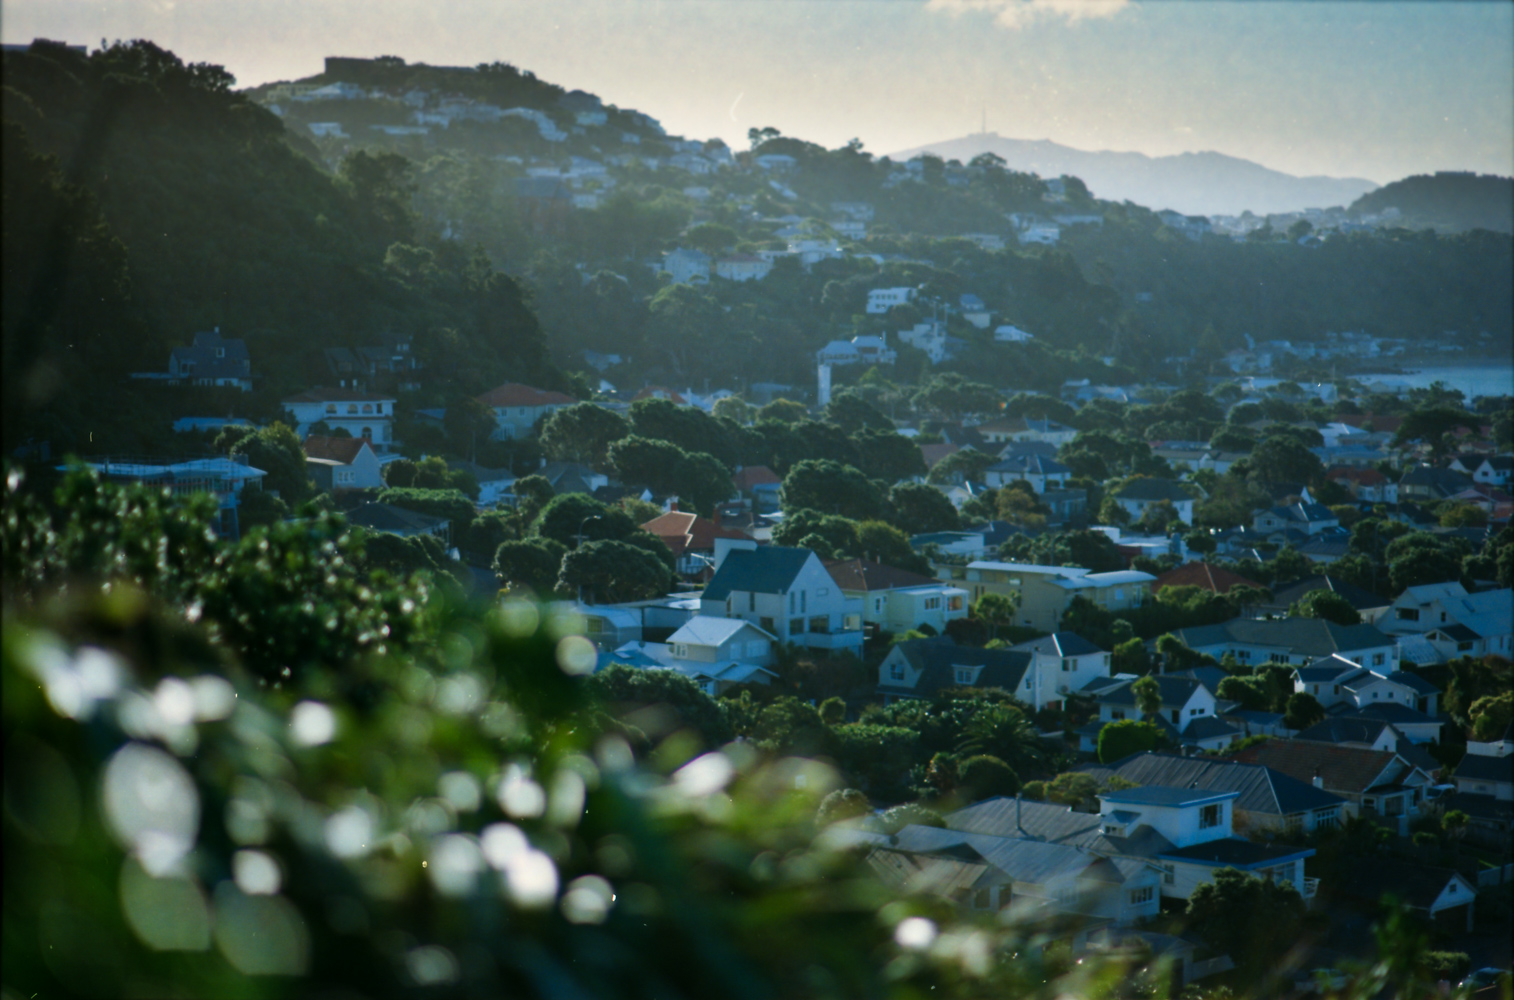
column 1251, row 919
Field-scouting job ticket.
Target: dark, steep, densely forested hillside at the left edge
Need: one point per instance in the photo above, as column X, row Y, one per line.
column 146, row 200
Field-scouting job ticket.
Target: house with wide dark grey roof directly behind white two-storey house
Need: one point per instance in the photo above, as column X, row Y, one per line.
column 1269, row 801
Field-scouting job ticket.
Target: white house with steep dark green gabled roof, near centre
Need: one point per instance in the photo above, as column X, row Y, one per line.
column 783, row 591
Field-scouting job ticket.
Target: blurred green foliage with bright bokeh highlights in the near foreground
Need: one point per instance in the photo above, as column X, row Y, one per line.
column 260, row 769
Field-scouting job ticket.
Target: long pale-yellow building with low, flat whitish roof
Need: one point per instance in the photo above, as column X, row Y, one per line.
column 1048, row 591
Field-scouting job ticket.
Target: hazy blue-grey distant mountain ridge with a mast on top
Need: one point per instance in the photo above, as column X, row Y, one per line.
column 1194, row 184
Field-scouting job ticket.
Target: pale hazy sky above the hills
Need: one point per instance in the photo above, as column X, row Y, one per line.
column 1363, row 90
